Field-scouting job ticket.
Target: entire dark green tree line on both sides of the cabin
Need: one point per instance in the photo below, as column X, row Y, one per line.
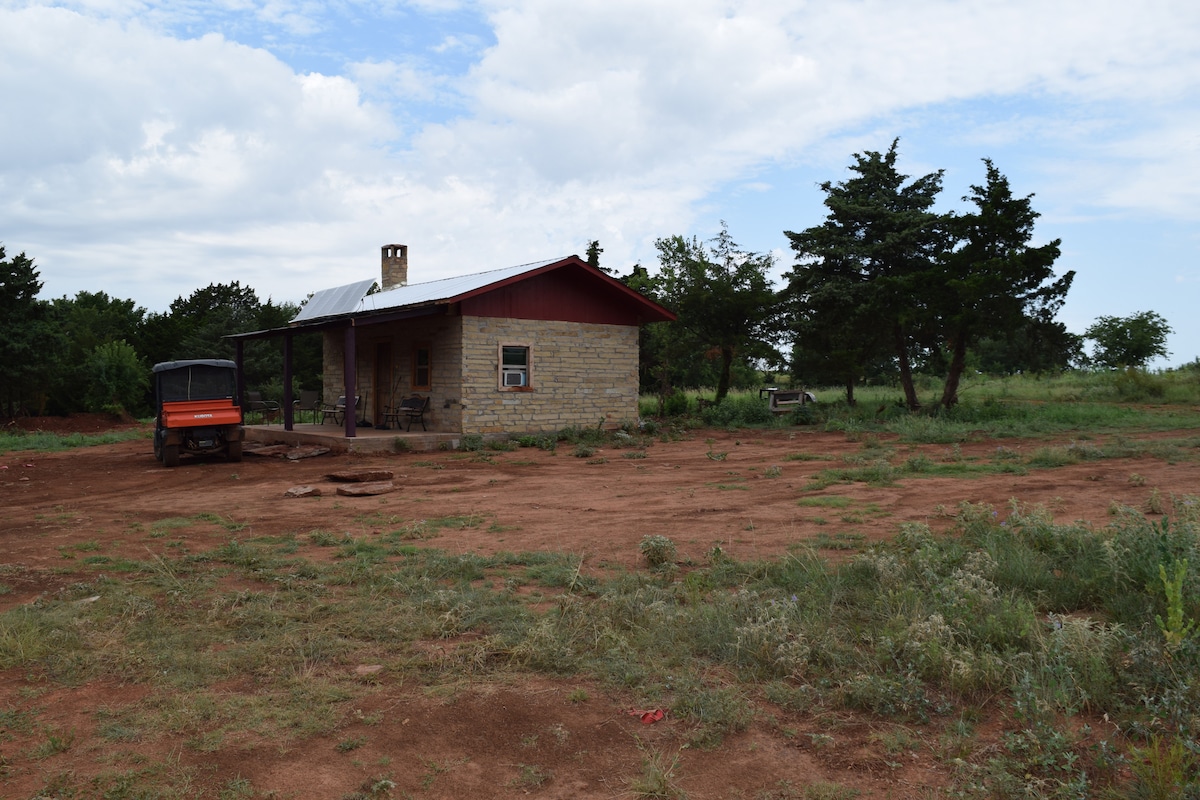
column 884, row 290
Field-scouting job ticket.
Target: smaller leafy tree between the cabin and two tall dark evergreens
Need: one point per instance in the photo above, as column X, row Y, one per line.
column 724, row 302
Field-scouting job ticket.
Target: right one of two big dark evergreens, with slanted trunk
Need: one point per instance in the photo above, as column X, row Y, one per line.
column 993, row 280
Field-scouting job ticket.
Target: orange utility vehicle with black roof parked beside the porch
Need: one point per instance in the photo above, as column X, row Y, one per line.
column 197, row 410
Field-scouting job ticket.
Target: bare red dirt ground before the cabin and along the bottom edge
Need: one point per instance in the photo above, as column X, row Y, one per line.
column 477, row 743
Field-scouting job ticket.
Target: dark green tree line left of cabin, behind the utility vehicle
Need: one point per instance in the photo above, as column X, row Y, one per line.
column 94, row 353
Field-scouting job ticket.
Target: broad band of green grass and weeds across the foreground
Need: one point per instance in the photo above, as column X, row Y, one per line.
column 1053, row 623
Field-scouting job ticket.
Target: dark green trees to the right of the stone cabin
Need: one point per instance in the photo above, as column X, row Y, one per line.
column 885, row 288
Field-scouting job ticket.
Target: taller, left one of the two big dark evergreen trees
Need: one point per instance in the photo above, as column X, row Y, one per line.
column 861, row 276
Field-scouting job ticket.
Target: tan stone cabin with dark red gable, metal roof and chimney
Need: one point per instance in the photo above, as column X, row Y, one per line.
column 532, row 348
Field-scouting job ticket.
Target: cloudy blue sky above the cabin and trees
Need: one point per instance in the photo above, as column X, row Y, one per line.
column 149, row 149
